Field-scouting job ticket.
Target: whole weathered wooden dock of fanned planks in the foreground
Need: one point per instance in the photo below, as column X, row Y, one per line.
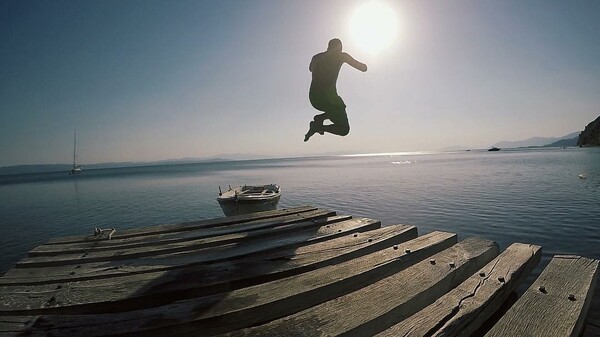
column 296, row 272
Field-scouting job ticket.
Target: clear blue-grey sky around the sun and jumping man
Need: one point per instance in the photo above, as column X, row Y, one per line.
column 150, row 80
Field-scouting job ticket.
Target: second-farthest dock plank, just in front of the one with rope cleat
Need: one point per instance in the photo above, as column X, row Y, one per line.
column 231, row 233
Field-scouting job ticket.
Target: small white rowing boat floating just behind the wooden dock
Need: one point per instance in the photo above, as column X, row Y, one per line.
column 249, row 199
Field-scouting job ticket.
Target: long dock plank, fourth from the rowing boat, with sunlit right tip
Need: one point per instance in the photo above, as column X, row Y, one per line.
column 98, row 270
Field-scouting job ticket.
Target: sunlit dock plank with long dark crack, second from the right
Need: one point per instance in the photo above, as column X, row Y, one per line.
column 465, row 308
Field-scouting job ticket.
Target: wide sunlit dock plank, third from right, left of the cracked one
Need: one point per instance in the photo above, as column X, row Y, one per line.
column 382, row 304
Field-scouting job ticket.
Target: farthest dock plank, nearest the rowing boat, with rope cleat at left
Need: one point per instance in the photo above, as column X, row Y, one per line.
column 186, row 226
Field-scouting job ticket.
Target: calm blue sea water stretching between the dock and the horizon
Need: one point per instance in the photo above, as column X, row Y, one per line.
column 530, row 196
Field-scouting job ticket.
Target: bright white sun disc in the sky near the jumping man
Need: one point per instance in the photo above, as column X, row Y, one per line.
column 373, row 26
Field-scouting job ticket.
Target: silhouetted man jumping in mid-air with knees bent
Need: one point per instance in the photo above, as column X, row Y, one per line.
column 325, row 68
